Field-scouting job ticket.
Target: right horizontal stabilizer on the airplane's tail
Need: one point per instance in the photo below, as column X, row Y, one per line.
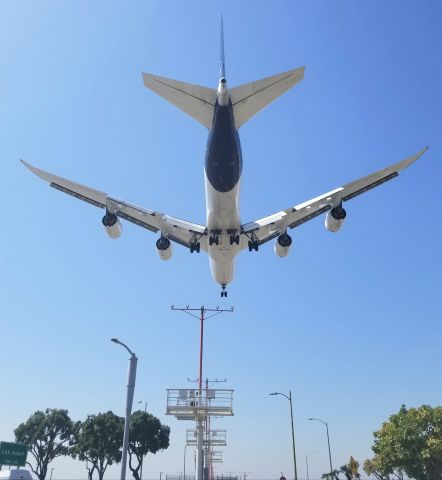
column 250, row 98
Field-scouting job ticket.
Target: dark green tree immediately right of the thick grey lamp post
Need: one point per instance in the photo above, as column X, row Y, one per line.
column 147, row 435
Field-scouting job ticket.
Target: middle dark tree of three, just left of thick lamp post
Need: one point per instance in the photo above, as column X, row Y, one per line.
column 98, row 441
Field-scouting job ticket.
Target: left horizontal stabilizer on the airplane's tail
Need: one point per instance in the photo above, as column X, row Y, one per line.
column 195, row 100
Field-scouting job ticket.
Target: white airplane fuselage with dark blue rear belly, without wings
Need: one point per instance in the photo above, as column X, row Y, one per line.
column 222, row 175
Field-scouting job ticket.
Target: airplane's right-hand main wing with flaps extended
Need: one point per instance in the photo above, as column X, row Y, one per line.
column 272, row 226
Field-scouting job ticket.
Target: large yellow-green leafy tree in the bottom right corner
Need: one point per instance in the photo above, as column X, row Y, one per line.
column 409, row 443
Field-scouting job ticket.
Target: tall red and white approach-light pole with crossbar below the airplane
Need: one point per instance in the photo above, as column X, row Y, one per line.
column 201, row 316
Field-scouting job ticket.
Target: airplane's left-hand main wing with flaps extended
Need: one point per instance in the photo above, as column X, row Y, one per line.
column 177, row 230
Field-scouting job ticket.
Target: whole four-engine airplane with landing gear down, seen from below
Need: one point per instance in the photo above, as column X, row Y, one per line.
column 223, row 111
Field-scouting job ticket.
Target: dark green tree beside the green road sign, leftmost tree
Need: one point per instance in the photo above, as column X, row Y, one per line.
column 48, row 435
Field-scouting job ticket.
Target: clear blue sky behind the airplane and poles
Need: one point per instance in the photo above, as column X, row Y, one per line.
column 350, row 322
